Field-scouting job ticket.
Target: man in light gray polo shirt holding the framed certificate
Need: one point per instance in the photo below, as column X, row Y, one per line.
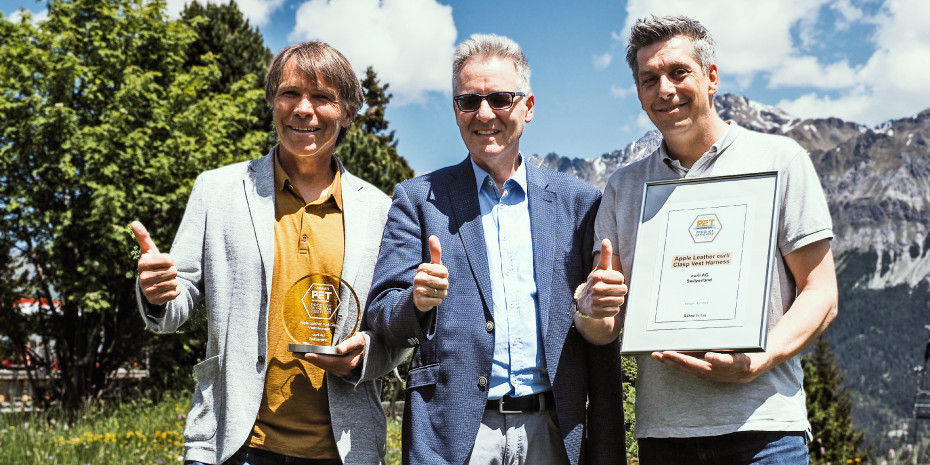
column 741, row 408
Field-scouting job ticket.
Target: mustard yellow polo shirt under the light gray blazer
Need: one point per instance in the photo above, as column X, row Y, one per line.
column 294, row 416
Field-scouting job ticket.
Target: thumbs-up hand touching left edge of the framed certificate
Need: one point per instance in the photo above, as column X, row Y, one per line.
column 602, row 295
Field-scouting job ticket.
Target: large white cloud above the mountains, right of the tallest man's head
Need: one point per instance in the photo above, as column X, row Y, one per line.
column 755, row 41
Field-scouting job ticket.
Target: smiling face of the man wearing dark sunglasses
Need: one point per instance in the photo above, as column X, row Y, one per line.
column 492, row 136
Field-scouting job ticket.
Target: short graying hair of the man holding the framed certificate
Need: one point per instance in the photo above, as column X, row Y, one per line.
column 652, row 30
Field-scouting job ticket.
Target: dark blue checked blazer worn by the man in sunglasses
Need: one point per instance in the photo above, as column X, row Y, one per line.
column 447, row 386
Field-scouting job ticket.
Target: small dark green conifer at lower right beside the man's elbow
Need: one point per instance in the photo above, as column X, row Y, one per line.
column 829, row 408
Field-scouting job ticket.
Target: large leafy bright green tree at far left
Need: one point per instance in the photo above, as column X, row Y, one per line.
column 102, row 124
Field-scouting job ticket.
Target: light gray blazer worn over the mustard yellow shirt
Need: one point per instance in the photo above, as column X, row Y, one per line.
column 224, row 253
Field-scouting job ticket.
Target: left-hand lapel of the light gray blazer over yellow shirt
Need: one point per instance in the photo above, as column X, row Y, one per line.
column 259, row 193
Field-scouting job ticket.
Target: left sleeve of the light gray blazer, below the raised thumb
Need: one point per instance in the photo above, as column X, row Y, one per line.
column 187, row 252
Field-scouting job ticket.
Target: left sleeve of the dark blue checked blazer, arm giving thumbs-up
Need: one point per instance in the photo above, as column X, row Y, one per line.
column 391, row 313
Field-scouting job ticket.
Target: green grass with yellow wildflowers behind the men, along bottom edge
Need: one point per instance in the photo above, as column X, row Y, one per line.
column 145, row 432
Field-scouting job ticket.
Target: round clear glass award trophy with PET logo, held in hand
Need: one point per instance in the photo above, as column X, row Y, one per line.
column 314, row 313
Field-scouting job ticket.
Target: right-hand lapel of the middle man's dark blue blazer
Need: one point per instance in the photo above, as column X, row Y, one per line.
column 542, row 219
